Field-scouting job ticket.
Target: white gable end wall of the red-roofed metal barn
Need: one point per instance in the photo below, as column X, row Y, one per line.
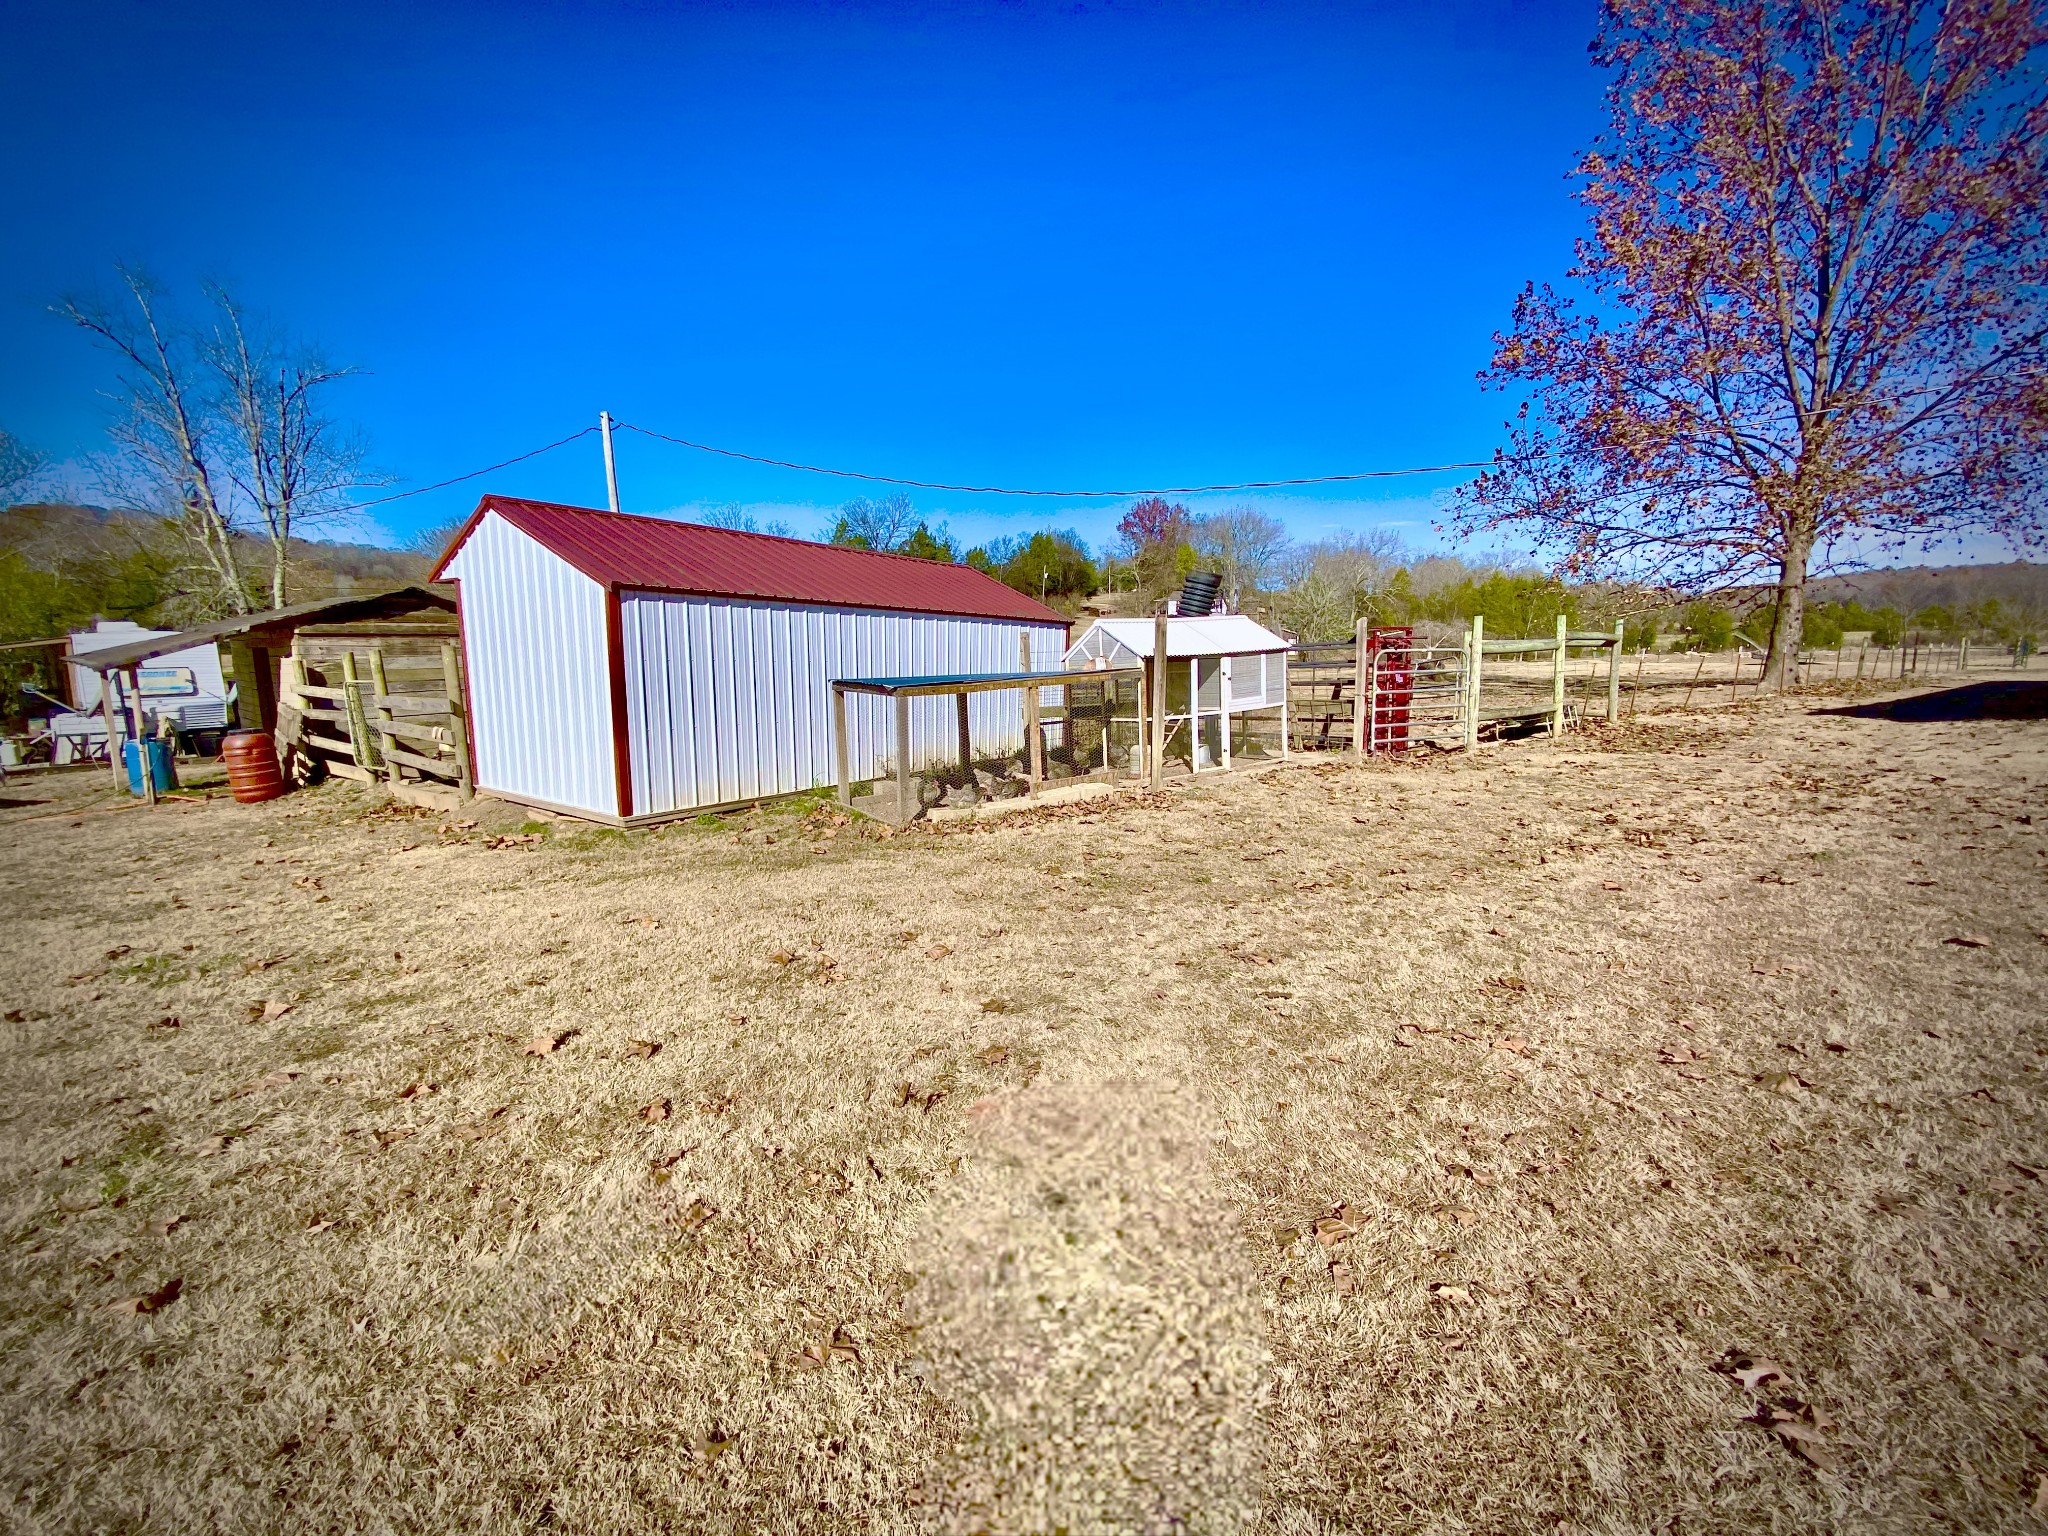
column 540, row 679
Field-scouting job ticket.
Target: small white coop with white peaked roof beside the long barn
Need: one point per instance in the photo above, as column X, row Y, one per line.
column 1234, row 667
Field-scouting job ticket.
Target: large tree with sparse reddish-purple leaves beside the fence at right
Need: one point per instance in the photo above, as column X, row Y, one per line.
column 1816, row 300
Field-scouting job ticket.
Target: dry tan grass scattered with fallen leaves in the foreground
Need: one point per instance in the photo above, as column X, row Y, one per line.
column 988, row 1185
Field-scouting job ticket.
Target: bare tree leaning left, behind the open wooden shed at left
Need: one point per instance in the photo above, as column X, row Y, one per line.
column 167, row 439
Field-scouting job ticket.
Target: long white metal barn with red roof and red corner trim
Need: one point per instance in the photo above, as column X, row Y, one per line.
column 632, row 669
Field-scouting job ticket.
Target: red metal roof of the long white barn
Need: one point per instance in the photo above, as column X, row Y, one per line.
column 658, row 556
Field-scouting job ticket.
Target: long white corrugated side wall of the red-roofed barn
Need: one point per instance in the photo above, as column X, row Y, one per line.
column 732, row 701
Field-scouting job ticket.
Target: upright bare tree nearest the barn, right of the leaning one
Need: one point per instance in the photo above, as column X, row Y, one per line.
column 294, row 464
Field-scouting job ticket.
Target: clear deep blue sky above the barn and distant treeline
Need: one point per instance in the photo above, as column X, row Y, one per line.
column 1084, row 245
